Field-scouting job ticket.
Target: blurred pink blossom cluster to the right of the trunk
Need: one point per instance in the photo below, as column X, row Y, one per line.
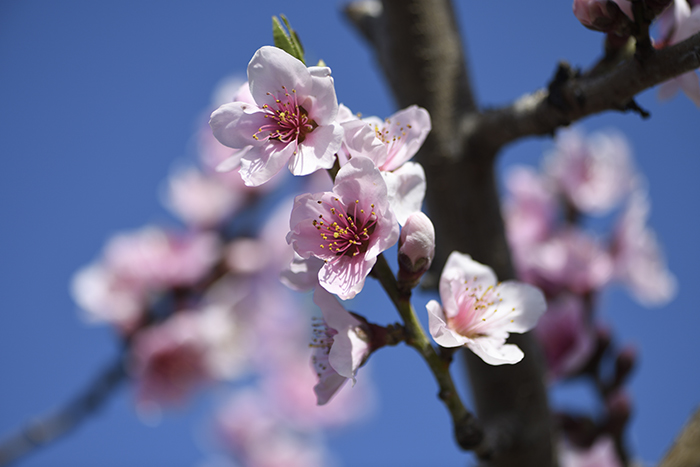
column 545, row 212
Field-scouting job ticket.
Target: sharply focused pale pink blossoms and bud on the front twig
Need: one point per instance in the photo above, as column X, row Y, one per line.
column 295, row 119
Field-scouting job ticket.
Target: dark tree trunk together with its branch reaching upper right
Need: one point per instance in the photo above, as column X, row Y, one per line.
column 418, row 46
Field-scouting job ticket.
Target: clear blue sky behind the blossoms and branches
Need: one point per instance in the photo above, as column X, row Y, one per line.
column 98, row 99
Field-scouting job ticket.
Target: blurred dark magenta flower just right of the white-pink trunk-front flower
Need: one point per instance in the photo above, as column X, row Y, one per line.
column 566, row 337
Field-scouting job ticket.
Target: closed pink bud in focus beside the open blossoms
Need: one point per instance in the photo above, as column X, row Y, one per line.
column 416, row 249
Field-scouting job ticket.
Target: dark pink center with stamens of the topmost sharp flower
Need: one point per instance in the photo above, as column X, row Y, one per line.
column 287, row 121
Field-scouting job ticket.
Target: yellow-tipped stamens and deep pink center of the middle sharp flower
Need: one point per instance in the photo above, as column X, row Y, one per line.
column 346, row 234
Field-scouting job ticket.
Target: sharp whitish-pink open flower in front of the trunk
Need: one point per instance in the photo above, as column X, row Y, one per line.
column 480, row 312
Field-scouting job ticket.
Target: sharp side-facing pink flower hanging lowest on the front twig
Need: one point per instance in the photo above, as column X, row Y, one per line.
column 341, row 346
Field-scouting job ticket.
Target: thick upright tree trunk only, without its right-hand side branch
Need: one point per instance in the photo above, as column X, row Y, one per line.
column 419, row 48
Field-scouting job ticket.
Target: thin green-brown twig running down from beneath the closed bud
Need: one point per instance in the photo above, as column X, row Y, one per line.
column 468, row 433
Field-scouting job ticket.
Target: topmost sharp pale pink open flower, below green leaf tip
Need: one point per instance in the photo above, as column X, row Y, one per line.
column 292, row 120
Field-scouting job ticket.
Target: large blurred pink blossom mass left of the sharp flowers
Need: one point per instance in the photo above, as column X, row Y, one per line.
column 201, row 307
